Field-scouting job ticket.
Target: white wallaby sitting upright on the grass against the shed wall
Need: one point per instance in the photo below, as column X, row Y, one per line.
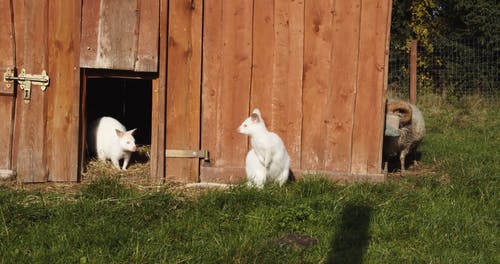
column 268, row 159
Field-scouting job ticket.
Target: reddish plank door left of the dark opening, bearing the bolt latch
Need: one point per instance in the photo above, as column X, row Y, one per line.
column 43, row 36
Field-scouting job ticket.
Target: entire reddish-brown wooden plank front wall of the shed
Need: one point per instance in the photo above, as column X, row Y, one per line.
column 315, row 68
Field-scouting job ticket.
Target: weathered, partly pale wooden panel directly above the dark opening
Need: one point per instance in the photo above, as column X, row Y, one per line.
column 120, row 35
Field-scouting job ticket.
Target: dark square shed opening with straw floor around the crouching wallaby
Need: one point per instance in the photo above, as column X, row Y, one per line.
column 128, row 99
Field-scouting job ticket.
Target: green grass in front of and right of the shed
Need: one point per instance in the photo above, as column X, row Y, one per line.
column 450, row 215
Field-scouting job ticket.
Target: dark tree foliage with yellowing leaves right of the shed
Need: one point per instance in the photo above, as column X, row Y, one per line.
column 458, row 42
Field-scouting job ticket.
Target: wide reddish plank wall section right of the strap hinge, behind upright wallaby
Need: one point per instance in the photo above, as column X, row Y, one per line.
column 315, row 68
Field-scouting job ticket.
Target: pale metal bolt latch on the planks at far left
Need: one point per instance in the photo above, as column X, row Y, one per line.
column 26, row 80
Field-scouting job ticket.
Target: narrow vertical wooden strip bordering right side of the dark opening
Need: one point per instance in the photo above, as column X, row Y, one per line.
column 158, row 118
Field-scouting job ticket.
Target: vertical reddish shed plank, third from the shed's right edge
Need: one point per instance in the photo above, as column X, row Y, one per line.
column 317, row 91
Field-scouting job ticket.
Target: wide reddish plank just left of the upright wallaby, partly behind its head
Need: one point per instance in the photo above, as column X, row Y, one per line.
column 233, row 49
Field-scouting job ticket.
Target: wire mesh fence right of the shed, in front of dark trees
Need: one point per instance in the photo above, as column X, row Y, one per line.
column 448, row 69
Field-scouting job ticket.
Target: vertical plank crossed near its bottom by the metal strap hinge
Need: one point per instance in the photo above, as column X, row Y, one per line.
column 183, row 86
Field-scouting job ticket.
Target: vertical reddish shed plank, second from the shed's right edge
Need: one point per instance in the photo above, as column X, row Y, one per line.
column 344, row 80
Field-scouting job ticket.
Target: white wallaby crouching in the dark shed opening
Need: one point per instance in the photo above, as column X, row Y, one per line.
column 113, row 141
